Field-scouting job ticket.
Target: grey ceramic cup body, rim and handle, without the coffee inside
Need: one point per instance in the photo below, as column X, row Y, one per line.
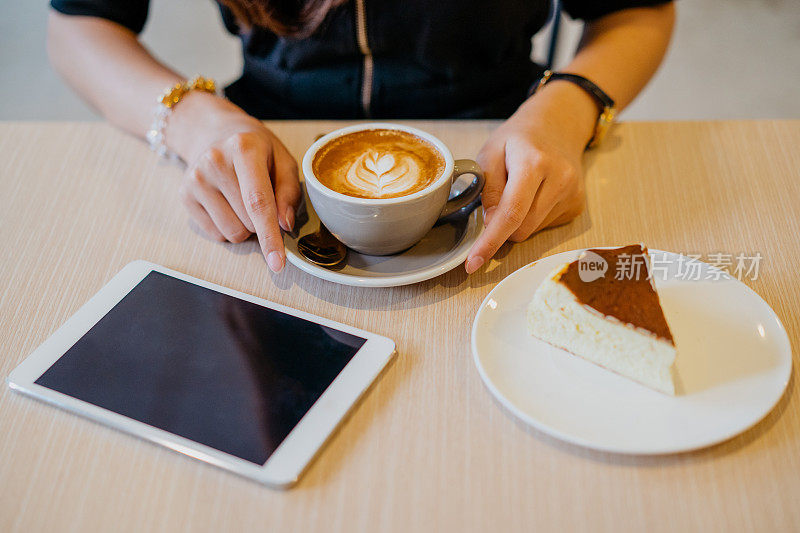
column 383, row 226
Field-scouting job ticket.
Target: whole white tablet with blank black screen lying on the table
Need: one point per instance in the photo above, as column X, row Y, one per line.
column 227, row 378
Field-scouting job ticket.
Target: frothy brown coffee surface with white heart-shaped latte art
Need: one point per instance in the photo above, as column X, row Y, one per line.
column 379, row 163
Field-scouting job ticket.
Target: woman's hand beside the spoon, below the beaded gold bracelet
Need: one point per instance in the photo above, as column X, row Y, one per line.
column 240, row 179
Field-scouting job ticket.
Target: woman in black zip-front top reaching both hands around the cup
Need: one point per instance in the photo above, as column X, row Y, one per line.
column 362, row 59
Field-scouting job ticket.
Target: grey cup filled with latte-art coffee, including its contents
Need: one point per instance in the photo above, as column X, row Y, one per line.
column 380, row 187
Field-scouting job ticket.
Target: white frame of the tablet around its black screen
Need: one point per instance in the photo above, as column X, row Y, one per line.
column 292, row 456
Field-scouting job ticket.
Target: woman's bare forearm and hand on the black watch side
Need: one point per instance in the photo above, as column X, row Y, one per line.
column 533, row 161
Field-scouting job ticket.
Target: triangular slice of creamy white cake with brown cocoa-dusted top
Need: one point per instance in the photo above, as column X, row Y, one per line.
column 604, row 307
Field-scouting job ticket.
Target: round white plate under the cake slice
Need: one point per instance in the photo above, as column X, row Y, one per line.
column 734, row 362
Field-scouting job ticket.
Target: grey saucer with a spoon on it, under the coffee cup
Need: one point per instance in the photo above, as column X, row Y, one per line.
column 443, row 248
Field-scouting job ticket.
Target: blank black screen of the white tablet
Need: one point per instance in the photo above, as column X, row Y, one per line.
column 220, row 371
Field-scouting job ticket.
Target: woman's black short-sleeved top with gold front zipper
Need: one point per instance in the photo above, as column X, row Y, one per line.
column 416, row 58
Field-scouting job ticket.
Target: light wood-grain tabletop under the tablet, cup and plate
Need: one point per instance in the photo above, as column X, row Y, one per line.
column 429, row 449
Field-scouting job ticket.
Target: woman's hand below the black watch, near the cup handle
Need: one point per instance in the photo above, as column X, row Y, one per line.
column 533, row 168
